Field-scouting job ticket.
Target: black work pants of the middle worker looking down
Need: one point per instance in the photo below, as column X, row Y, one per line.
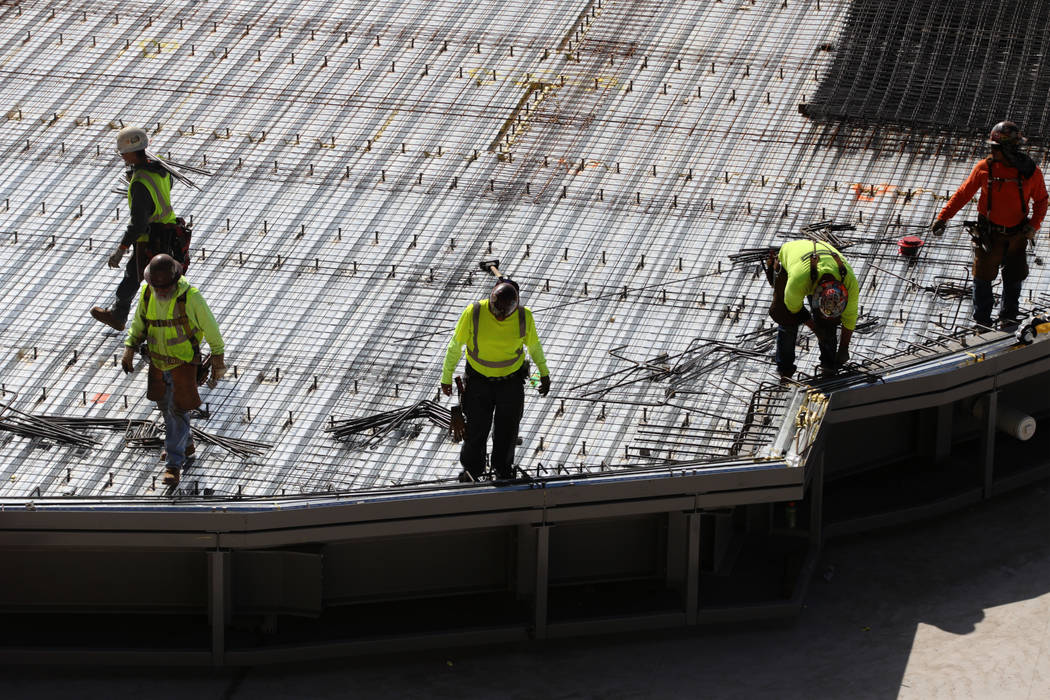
column 497, row 406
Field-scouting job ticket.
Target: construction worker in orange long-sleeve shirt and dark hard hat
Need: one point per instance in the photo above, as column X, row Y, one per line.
column 1009, row 180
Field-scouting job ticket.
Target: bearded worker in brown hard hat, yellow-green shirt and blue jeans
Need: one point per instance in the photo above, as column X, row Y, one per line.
column 173, row 317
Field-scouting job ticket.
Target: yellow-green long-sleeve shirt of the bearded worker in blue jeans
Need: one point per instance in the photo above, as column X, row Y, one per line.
column 169, row 345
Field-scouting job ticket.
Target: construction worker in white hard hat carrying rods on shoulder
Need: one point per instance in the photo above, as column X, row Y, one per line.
column 153, row 226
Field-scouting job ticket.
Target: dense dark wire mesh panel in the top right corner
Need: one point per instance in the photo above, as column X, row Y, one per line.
column 958, row 67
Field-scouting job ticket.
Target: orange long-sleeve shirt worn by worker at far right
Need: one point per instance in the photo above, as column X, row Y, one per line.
column 1007, row 207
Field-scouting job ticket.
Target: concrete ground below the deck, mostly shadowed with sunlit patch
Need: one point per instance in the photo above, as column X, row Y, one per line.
column 955, row 608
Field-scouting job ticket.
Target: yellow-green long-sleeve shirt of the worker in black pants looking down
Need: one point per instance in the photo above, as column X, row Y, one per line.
column 498, row 343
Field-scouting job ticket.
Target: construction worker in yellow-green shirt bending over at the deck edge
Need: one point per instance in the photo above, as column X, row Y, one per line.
column 810, row 269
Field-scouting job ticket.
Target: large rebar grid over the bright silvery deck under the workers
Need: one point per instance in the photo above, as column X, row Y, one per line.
column 618, row 157
